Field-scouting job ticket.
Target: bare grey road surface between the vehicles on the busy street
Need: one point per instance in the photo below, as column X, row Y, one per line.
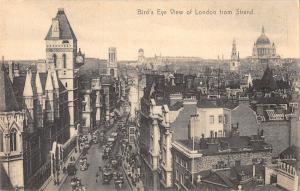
column 88, row 177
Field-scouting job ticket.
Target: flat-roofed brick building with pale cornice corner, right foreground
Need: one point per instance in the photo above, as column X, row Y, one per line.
column 193, row 160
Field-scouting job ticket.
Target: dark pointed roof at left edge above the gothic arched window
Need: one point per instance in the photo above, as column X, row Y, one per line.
column 8, row 100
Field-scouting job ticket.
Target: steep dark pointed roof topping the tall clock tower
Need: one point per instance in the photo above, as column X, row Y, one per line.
column 65, row 29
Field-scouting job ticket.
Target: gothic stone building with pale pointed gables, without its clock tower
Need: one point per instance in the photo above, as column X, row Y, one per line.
column 34, row 115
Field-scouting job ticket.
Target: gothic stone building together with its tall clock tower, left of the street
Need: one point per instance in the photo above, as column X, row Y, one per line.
column 39, row 111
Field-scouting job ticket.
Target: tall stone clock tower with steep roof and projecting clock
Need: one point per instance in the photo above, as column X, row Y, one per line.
column 62, row 56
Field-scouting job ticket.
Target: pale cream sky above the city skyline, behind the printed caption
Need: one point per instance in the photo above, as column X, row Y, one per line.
column 99, row 25
